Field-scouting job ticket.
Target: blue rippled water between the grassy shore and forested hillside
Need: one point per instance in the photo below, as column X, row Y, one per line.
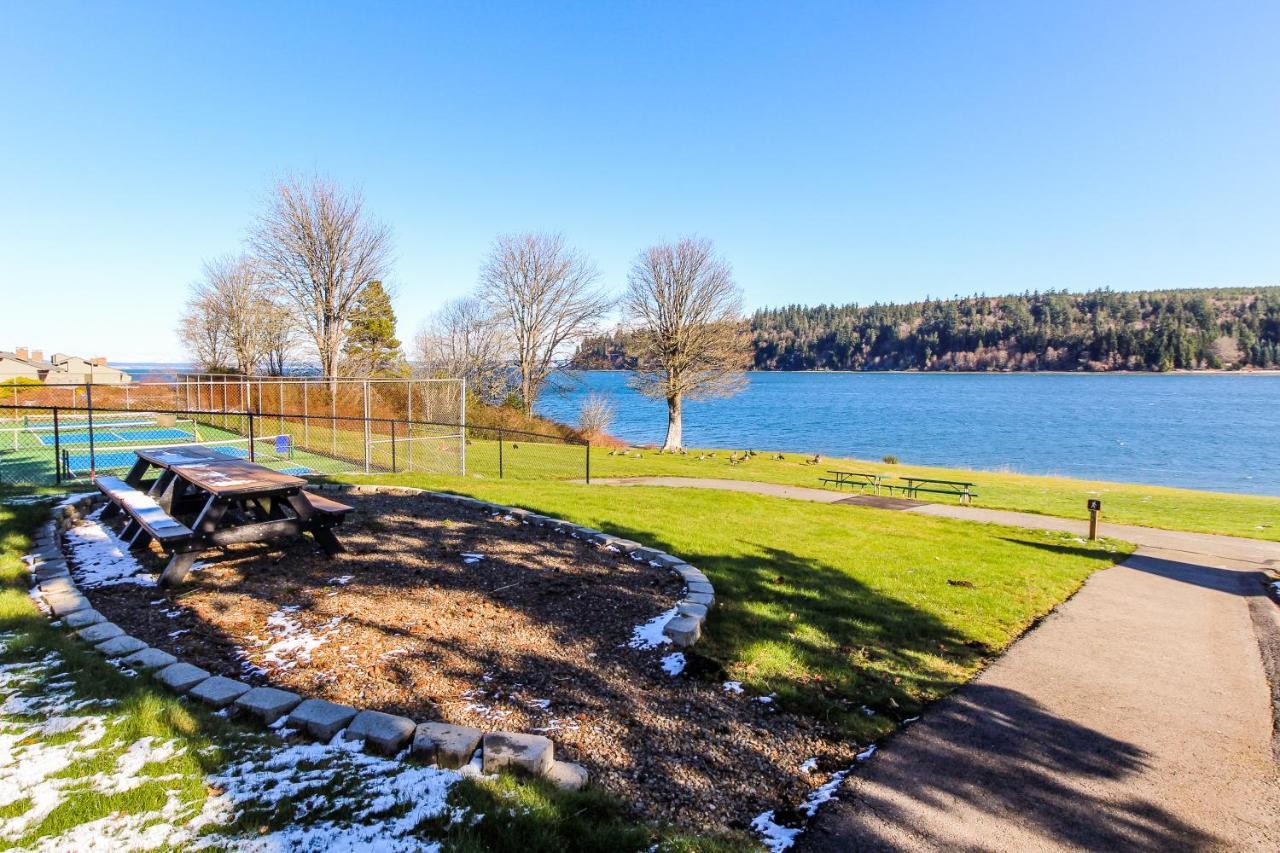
column 1215, row 432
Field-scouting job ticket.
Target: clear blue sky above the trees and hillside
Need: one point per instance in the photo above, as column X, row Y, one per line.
column 835, row 153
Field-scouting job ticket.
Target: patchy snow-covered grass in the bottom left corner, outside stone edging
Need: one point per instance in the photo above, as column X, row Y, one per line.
column 314, row 797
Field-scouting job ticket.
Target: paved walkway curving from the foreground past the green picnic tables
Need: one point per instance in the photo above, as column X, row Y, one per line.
column 1136, row 717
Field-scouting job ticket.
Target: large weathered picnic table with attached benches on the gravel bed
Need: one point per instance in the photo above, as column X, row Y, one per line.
column 203, row 499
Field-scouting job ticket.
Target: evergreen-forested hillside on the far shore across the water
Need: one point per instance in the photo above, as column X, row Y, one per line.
column 1100, row 331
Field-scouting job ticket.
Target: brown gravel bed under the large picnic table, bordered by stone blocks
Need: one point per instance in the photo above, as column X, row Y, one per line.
column 441, row 613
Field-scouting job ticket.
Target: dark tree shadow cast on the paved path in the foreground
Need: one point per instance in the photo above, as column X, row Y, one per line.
column 1000, row 754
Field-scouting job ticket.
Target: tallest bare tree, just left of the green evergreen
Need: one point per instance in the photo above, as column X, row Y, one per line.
column 318, row 244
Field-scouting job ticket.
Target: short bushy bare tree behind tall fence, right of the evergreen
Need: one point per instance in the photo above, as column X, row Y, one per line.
column 464, row 340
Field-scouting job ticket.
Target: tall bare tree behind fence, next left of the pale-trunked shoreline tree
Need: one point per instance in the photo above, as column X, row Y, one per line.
column 545, row 295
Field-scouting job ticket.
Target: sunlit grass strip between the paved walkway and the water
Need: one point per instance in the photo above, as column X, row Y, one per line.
column 1153, row 507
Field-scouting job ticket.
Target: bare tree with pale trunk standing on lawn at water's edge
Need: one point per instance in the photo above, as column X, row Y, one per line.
column 689, row 332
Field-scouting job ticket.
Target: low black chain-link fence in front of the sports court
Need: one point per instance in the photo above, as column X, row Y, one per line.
column 67, row 445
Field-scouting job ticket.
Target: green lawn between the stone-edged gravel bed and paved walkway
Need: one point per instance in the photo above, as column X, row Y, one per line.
column 834, row 608
